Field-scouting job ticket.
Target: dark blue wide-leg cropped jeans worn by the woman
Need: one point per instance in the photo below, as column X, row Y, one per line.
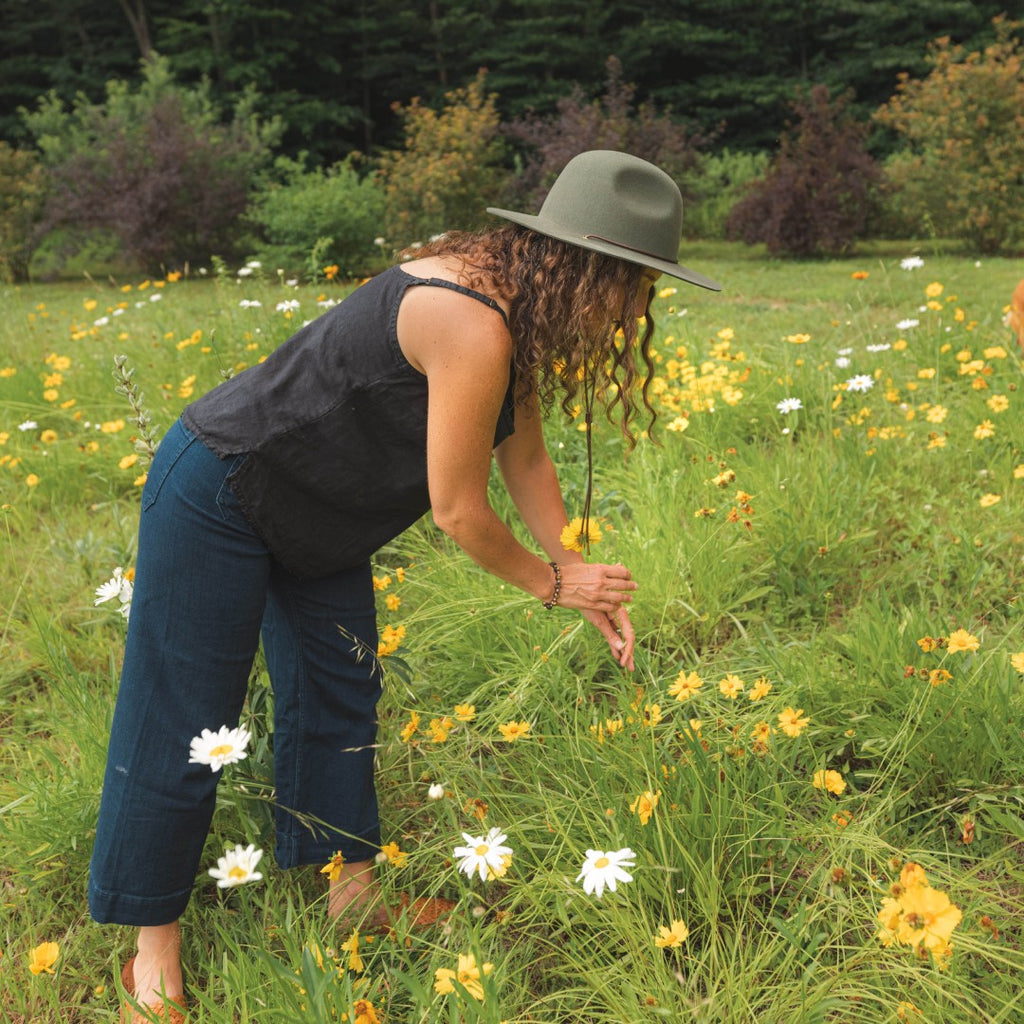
column 206, row 589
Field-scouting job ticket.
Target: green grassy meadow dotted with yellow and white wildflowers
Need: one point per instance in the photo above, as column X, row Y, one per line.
column 829, row 691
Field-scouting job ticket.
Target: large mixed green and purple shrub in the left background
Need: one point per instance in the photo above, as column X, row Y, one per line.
column 154, row 167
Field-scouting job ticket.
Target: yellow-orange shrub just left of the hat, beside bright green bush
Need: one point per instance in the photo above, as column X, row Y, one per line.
column 450, row 169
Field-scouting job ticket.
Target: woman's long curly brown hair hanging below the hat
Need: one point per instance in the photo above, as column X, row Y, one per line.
column 572, row 314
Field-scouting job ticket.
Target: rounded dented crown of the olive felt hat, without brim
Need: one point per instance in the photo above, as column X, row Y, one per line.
column 618, row 198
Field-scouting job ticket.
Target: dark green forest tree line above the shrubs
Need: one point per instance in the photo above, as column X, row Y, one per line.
column 332, row 71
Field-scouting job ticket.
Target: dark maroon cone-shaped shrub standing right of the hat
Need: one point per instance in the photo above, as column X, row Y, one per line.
column 820, row 190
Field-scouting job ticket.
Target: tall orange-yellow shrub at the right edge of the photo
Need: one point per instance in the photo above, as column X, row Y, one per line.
column 964, row 130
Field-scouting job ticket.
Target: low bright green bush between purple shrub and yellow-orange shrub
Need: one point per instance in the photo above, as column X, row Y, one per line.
column 333, row 211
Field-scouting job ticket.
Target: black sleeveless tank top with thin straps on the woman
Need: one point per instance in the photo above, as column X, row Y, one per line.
column 334, row 426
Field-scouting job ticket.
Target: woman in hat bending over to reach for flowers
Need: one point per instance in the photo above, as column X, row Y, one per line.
column 267, row 500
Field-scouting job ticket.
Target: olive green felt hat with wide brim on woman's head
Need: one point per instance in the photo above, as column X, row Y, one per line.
column 616, row 204
